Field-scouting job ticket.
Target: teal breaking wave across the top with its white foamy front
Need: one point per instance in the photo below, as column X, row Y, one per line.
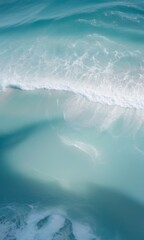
column 101, row 59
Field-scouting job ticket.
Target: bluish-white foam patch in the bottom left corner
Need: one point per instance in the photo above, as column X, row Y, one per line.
column 35, row 224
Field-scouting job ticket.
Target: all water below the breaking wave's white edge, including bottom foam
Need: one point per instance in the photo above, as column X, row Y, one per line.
column 64, row 178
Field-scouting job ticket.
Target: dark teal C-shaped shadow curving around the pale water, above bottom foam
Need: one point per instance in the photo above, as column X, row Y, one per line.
column 105, row 209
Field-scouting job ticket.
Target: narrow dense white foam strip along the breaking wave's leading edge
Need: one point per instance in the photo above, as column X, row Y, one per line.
column 103, row 95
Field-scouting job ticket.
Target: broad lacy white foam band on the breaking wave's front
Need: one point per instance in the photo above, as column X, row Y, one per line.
column 95, row 67
